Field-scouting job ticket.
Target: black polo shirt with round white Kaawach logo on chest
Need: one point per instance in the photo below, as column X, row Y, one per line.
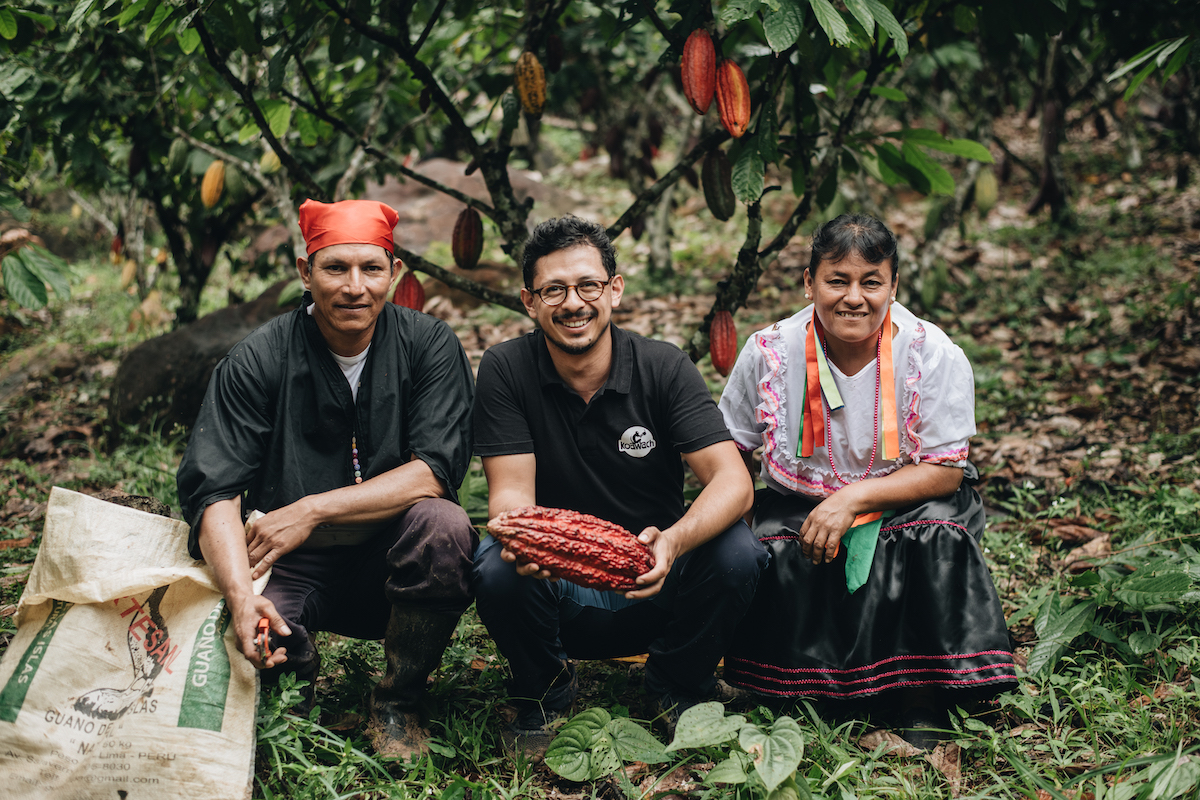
column 619, row 456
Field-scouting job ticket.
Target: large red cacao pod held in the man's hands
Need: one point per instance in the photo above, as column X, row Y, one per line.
column 577, row 548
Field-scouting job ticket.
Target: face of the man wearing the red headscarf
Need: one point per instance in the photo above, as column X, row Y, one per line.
column 350, row 287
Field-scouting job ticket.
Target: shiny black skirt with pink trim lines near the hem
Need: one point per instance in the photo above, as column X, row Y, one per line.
column 928, row 616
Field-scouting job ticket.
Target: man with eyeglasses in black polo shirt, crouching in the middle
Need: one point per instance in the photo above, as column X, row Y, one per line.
column 584, row 416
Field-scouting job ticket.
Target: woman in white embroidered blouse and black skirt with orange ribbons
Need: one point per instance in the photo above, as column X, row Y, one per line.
column 878, row 585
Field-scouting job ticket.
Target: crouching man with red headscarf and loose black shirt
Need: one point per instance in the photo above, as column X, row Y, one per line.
column 347, row 424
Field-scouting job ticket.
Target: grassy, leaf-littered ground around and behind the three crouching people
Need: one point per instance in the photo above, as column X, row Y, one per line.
column 1087, row 348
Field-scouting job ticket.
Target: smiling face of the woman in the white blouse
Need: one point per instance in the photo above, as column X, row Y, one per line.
column 851, row 298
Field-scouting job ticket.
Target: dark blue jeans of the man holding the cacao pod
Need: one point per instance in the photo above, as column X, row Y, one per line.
column 686, row 628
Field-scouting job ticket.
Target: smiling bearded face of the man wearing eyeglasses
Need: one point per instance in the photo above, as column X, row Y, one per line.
column 577, row 326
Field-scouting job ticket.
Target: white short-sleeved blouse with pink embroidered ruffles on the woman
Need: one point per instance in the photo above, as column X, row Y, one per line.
column 935, row 406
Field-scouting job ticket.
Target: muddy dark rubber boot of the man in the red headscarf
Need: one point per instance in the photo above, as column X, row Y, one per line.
column 413, row 645
